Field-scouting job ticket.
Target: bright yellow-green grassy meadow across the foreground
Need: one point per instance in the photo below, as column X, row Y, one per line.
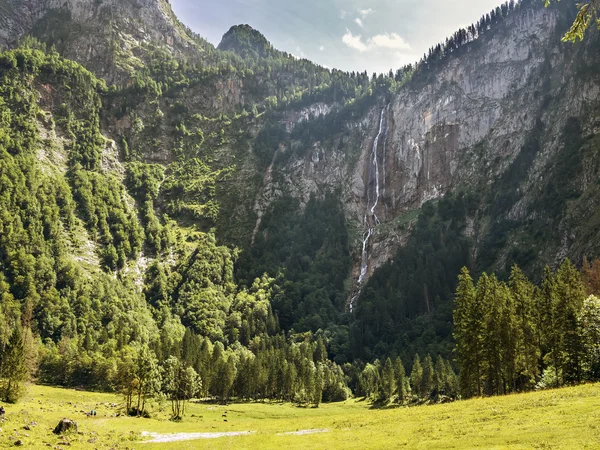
column 559, row 419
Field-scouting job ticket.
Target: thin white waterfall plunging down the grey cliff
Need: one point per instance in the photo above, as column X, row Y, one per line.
column 371, row 220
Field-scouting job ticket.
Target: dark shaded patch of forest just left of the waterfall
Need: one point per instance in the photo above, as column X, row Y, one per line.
column 311, row 267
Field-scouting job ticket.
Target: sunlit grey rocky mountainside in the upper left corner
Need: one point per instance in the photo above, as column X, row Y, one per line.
column 97, row 34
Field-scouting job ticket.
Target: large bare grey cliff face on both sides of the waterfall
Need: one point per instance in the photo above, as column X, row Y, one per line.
column 460, row 128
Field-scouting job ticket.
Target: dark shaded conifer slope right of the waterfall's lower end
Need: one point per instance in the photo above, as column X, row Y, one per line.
column 406, row 305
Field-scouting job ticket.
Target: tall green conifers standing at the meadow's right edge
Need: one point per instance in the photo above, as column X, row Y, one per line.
column 514, row 336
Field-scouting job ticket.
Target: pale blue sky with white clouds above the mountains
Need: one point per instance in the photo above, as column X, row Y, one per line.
column 372, row 35
